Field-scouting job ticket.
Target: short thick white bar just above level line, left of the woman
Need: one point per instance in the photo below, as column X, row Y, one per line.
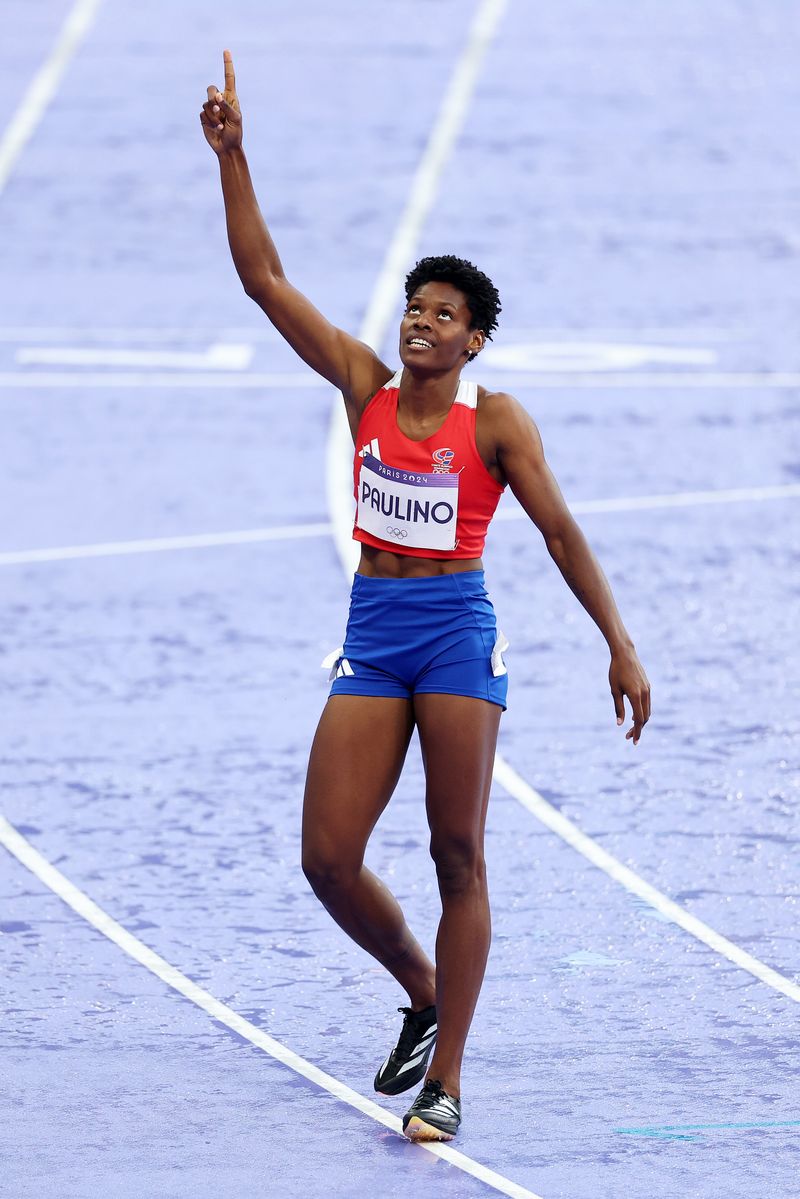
column 218, row 357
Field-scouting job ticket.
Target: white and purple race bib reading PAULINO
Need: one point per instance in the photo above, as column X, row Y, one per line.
column 406, row 508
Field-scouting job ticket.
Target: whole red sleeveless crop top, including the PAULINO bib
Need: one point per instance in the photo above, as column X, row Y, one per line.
column 426, row 499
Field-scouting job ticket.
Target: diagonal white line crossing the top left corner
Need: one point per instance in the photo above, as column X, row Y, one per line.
column 23, row 124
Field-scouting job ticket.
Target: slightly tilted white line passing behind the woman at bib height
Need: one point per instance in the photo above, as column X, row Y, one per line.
column 324, row 528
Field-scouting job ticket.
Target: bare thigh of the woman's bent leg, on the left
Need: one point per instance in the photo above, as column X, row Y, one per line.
column 356, row 763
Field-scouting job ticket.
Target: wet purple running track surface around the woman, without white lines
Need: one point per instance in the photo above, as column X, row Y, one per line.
column 628, row 177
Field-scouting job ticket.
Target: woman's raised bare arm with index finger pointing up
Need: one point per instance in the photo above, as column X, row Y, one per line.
column 344, row 360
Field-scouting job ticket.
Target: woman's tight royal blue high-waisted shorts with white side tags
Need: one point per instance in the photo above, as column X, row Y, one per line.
column 422, row 636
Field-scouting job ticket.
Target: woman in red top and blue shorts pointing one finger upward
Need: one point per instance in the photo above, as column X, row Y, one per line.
column 434, row 455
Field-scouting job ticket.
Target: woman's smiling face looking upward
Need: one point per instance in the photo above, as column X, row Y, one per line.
column 436, row 329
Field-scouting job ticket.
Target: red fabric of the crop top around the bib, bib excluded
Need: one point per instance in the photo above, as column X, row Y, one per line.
column 478, row 491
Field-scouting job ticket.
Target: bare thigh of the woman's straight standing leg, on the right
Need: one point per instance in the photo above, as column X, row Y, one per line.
column 459, row 738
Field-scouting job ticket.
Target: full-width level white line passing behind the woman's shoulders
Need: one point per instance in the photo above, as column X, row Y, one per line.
column 694, row 381
